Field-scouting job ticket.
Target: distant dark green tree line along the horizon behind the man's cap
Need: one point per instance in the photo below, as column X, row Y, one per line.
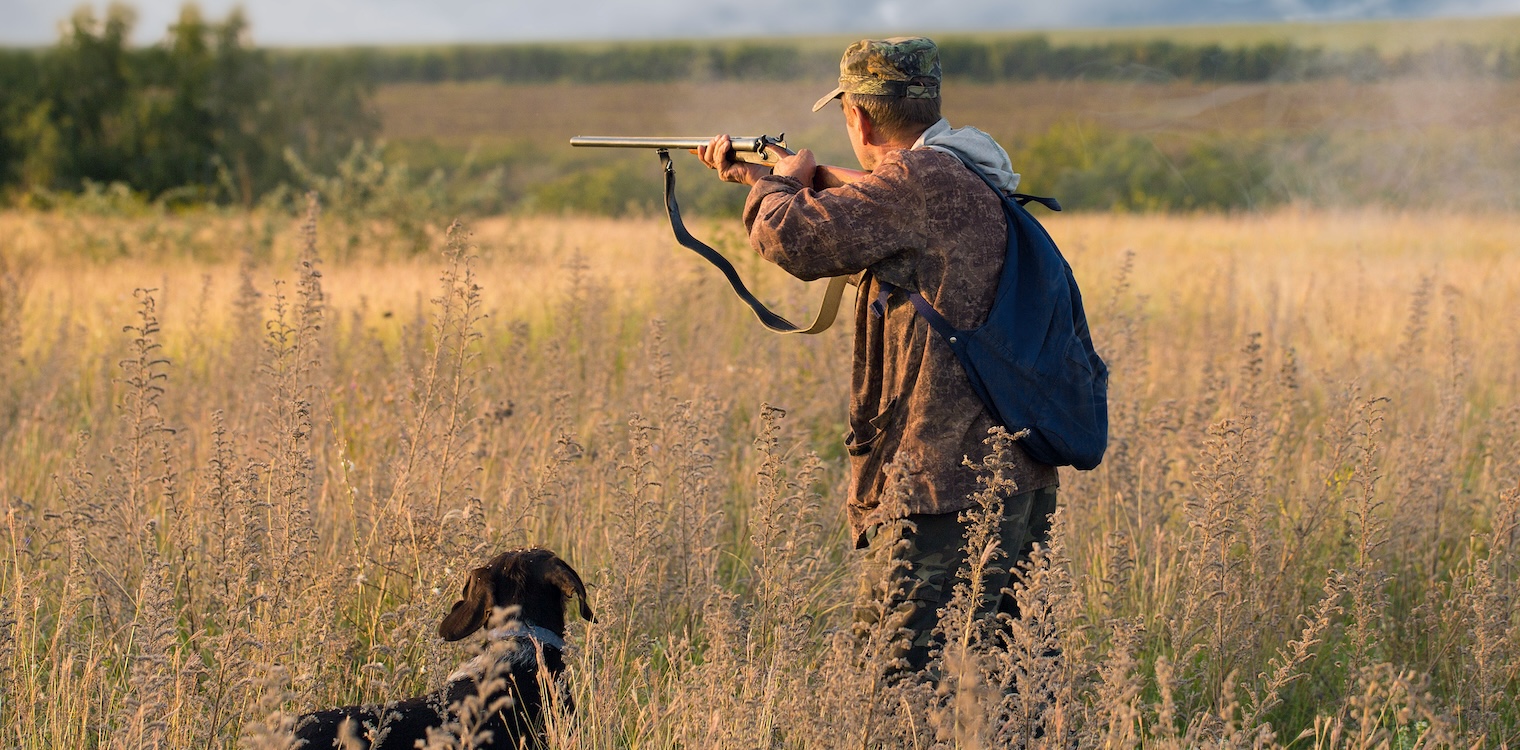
column 1016, row 59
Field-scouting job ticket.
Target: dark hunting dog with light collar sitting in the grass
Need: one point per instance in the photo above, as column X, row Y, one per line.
column 498, row 698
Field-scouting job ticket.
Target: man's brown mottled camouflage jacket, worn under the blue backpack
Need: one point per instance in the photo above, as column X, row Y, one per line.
column 922, row 223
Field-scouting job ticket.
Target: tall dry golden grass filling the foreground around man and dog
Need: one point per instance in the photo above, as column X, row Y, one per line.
column 235, row 491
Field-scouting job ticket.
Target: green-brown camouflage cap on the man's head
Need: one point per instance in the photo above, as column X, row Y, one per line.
column 902, row 66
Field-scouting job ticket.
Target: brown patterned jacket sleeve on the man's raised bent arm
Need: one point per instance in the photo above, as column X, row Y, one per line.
column 837, row 232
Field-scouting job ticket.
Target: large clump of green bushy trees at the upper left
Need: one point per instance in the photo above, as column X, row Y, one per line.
column 201, row 116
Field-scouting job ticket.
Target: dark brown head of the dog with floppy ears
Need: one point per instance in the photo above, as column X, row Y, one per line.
column 534, row 579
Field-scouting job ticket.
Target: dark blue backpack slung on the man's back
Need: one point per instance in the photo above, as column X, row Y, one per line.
column 1033, row 363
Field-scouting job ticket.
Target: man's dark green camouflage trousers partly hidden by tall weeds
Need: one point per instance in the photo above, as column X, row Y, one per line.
column 925, row 561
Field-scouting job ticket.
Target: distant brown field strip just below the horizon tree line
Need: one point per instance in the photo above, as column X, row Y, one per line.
column 549, row 115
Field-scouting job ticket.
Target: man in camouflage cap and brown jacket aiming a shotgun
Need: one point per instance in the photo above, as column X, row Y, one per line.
column 919, row 221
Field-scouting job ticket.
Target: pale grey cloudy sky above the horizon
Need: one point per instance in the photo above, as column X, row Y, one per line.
column 401, row 22
